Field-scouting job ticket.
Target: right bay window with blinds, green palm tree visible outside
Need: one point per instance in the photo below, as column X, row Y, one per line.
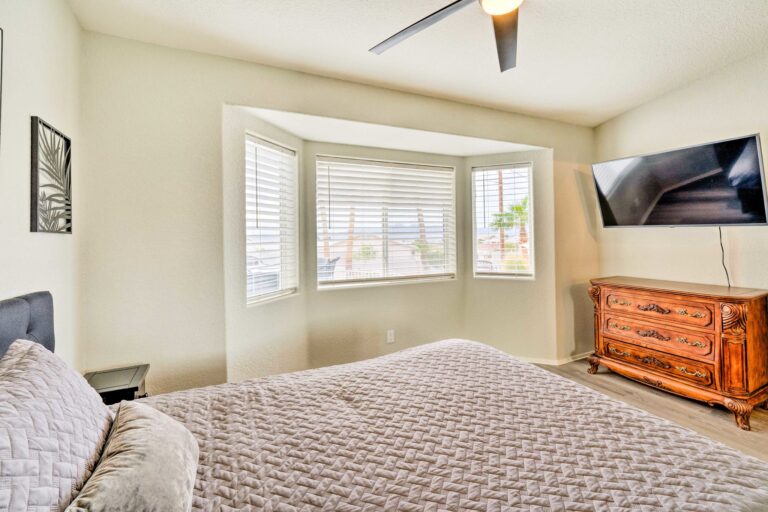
column 502, row 218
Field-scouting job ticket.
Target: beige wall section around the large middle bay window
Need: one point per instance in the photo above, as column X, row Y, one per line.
column 350, row 324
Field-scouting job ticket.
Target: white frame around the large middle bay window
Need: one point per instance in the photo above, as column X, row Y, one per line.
column 391, row 281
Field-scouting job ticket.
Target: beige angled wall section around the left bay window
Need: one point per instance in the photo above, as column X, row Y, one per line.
column 271, row 337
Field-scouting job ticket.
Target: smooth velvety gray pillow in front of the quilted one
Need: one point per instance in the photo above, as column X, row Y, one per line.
column 149, row 464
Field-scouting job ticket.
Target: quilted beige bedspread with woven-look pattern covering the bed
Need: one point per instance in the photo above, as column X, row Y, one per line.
column 454, row 425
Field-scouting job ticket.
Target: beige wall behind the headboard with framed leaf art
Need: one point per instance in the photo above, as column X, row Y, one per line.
column 41, row 77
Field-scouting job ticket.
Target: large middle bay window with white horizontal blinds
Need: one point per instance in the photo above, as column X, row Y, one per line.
column 383, row 221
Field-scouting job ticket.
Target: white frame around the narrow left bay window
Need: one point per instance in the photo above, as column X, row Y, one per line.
column 286, row 292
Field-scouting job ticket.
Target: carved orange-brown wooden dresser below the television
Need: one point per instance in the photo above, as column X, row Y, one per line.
column 709, row 343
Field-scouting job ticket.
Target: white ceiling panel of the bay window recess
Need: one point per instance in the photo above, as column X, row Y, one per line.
column 354, row 133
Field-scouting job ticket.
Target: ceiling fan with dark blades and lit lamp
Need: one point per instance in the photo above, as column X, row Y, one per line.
column 504, row 13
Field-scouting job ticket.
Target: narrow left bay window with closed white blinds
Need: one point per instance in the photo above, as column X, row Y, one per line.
column 271, row 220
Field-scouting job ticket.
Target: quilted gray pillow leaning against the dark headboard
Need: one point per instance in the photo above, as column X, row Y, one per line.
column 53, row 426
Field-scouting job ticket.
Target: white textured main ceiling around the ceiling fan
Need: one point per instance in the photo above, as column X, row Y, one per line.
column 581, row 61
